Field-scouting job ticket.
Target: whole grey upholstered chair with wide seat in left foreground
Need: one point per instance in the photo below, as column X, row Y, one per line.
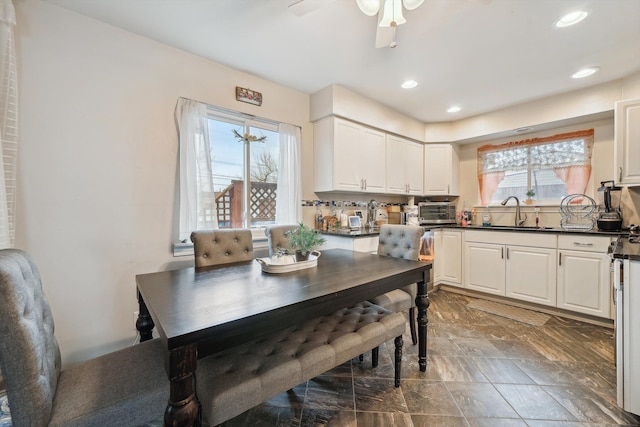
column 128, row 387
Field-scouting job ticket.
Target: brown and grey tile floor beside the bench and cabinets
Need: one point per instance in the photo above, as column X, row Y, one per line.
column 483, row 370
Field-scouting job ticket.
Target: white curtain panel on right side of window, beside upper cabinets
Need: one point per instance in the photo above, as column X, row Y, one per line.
column 288, row 201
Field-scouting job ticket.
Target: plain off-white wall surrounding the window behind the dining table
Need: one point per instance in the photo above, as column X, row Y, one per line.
column 98, row 162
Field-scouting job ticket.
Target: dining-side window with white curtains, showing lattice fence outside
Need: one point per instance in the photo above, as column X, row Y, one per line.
column 236, row 170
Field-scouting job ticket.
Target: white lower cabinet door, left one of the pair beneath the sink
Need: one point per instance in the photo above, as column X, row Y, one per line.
column 484, row 267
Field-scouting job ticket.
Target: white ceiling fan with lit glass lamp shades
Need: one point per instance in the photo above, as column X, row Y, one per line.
column 389, row 14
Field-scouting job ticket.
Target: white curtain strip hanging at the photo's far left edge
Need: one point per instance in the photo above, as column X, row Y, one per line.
column 8, row 123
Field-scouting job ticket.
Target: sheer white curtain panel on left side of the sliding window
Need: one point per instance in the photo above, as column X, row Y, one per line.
column 195, row 169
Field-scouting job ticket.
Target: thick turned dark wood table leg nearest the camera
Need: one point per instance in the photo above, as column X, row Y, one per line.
column 183, row 408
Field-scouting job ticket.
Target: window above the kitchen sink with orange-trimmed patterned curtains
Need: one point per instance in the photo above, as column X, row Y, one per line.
column 546, row 169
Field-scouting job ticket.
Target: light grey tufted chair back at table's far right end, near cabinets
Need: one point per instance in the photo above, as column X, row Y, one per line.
column 400, row 241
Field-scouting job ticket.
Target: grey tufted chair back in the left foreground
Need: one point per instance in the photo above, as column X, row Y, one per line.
column 29, row 353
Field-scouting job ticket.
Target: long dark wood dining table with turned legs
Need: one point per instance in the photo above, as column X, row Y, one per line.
column 198, row 312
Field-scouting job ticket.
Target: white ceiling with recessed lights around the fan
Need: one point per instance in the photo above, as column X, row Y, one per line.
column 481, row 55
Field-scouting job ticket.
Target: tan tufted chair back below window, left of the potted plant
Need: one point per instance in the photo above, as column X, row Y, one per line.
column 215, row 247
